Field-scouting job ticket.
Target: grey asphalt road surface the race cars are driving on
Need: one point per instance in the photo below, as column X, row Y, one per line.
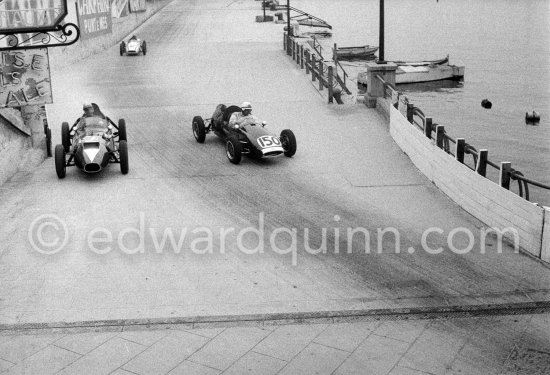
column 346, row 175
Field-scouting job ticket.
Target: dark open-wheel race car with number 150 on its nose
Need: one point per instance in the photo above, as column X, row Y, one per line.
column 250, row 138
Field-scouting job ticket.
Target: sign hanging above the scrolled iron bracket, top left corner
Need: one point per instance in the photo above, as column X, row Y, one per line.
column 18, row 15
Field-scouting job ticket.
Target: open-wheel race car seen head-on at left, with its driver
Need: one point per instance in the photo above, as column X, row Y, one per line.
column 92, row 143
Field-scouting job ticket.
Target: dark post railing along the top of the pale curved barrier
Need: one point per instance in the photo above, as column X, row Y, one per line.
column 480, row 159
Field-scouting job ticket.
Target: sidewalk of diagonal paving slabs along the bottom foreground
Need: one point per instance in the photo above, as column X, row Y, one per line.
column 487, row 345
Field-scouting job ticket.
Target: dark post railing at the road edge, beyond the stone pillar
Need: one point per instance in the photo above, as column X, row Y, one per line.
column 321, row 71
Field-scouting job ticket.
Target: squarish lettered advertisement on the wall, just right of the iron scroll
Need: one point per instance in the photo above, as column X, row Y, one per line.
column 94, row 18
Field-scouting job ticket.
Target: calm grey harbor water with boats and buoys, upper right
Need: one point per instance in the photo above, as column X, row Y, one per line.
column 505, row 47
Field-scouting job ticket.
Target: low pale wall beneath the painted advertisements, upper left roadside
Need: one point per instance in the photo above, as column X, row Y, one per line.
column 121, row 27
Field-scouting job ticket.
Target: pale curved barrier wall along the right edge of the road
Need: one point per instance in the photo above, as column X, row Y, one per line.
column 487, row 201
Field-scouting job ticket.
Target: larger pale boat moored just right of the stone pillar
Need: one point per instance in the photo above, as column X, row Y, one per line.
column 427, row 71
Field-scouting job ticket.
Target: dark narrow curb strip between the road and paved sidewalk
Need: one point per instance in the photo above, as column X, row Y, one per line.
column 337, row 316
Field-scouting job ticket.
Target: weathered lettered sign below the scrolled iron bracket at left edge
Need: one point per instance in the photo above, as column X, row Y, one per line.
column 25, row 78
